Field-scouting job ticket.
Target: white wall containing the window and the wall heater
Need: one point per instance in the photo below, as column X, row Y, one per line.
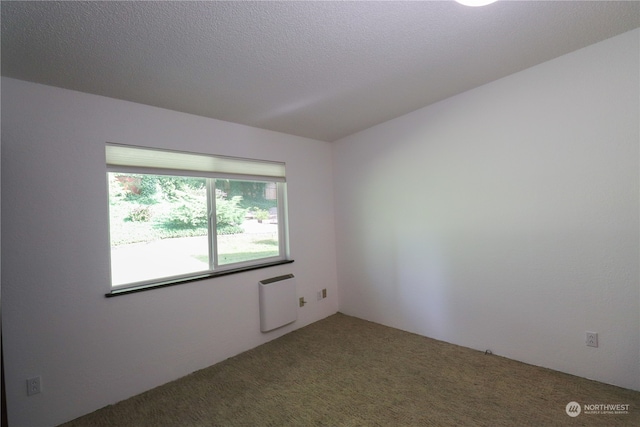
column 90, row 350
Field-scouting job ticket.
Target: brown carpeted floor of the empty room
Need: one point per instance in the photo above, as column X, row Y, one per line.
column 343, row 371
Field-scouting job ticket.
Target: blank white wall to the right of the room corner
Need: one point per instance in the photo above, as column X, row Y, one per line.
column 505, row 218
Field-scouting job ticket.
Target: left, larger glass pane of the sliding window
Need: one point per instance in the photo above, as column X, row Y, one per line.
column 158, row 226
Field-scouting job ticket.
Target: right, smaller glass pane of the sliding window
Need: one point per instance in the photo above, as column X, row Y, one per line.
column 246, row 220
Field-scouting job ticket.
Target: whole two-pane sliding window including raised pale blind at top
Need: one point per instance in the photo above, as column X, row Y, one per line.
column 177, row 216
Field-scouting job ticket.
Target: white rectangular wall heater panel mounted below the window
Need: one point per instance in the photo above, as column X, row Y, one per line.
column 278, row 302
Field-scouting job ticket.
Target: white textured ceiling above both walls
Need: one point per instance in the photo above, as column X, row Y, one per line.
column 323, row 70
